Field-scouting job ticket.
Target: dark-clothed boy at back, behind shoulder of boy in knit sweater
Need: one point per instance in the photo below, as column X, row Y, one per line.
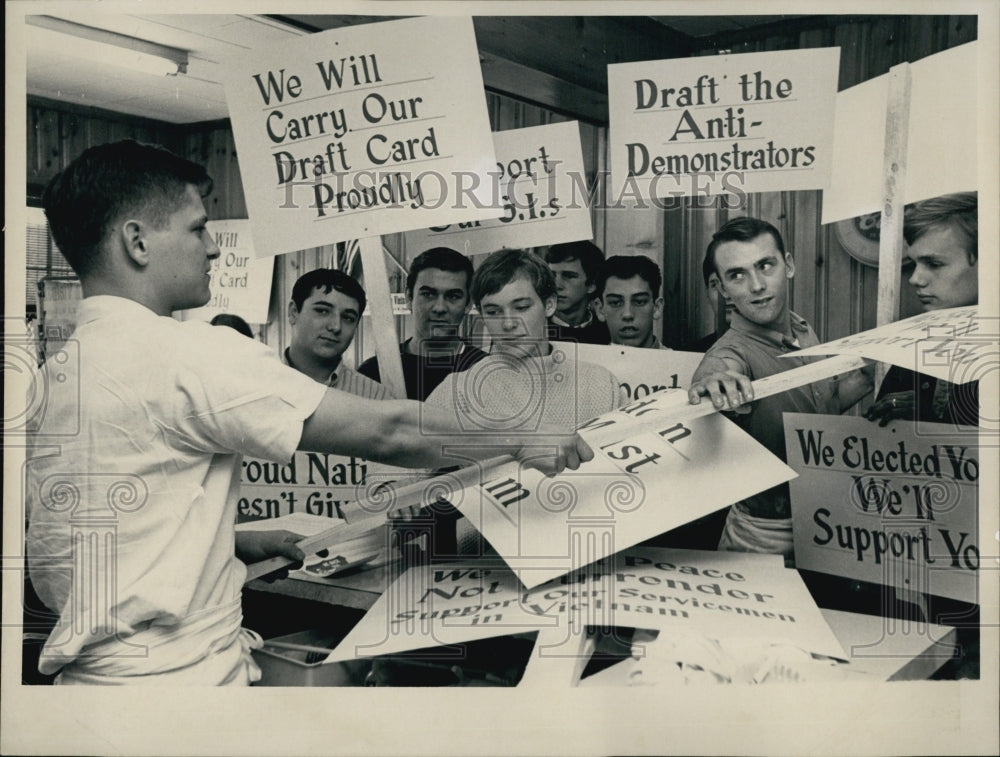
column 577, row 267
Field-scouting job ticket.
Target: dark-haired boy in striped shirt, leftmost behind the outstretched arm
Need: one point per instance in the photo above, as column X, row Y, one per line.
column 324, row 313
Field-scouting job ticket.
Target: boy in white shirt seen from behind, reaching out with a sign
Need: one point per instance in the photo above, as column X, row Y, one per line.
column 131, row 537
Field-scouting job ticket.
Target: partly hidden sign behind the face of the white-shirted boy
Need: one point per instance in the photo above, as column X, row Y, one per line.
column 240, row 281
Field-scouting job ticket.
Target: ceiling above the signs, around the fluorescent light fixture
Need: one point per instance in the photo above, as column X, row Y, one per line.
column 550, row 60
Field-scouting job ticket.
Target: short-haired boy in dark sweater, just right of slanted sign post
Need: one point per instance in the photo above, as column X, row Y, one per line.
column 437, row 289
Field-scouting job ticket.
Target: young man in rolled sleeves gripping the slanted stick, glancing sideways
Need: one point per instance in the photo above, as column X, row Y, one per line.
column 748, row 255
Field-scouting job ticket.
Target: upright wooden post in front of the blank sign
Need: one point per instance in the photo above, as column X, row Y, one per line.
column 890, row 254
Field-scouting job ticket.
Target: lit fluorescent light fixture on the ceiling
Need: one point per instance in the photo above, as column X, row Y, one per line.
column 106, row 47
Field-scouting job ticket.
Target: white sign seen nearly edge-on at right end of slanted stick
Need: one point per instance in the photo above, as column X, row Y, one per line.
column 954, row 344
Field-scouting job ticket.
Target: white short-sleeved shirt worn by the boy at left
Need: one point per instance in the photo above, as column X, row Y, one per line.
column 135, row 473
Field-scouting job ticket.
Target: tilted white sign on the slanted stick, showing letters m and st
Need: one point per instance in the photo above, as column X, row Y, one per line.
column 639, row 485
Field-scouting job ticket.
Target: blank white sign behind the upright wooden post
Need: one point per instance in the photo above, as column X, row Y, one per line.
column 941, row 143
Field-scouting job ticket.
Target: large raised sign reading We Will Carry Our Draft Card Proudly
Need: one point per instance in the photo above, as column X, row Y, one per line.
column 356, row 132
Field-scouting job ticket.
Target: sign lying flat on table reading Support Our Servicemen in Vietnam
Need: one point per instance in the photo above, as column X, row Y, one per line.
column 716, row 594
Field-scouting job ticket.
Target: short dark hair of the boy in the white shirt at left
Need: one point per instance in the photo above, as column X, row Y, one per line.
column 108, row 182
